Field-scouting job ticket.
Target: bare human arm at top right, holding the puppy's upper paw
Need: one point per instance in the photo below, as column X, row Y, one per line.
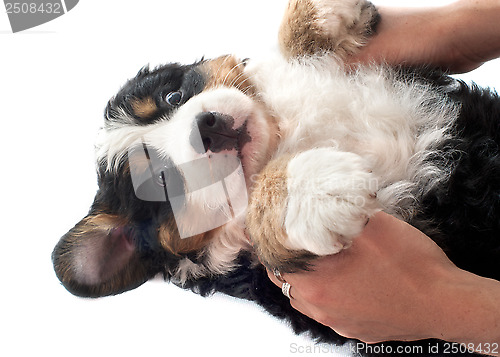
column 457, row 37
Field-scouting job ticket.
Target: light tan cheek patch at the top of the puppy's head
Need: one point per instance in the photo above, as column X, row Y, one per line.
column 227, row 71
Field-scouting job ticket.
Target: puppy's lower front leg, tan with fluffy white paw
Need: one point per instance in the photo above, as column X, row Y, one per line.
column 309, row 205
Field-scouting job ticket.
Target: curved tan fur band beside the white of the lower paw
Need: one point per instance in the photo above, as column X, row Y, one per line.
column 266, row 217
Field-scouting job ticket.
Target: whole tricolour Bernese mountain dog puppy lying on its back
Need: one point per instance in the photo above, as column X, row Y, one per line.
column 210, row 172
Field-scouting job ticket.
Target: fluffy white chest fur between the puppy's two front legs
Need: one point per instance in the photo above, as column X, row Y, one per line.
column 390, row 123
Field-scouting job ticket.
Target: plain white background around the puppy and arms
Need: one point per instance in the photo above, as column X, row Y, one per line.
column 55, row 80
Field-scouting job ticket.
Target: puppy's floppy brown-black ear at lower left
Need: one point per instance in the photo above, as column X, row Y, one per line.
column 99, row 257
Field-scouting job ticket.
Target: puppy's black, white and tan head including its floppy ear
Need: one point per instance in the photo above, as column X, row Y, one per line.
column 175, row 160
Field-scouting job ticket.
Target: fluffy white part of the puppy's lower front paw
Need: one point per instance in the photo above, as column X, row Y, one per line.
column 331, row 195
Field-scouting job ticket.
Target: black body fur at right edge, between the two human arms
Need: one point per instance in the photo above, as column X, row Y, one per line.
column 465, row 212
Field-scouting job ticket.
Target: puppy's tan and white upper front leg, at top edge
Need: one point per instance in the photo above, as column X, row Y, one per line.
column 339, row 27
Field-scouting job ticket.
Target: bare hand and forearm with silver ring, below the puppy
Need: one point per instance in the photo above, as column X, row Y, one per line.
column 395, row 283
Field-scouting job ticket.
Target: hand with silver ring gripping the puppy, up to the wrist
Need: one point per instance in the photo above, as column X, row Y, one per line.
column 377, row 289
